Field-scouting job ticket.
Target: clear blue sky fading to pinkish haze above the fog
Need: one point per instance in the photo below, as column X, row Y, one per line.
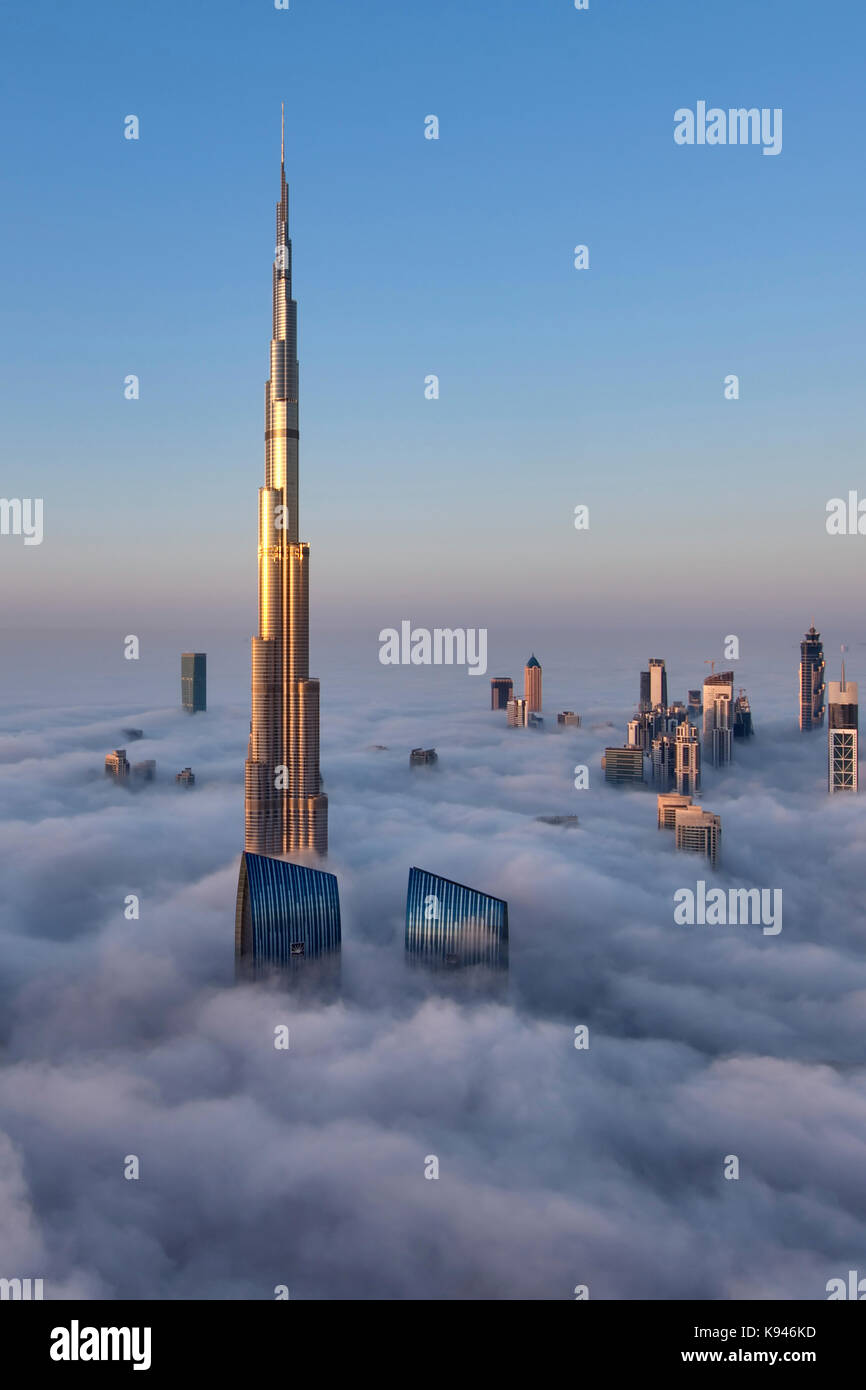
column 412, row 256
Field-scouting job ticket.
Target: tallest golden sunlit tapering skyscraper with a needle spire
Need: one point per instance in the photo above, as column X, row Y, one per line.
column 287, row 810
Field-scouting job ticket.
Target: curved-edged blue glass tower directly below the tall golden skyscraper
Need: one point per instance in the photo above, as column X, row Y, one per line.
column 287, row 917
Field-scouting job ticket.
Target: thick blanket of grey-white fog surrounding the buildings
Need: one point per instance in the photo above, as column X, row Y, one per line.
column 307, row 1168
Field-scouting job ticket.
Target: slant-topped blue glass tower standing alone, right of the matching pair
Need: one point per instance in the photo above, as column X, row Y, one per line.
column 451, row 925
